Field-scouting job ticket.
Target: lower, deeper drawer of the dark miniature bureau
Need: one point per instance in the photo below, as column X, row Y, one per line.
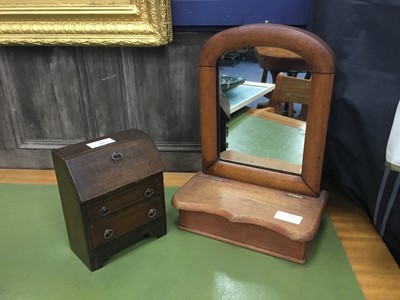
column 126, row 220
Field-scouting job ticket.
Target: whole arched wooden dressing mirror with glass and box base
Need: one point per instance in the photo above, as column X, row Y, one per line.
column 259, row 187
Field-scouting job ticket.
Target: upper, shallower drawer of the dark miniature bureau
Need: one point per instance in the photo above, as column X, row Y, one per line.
column 135, row 194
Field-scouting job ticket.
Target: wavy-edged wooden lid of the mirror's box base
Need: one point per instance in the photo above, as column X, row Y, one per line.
column 244, row 203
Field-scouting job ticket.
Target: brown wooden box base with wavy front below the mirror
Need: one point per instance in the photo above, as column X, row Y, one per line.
column 250, row 216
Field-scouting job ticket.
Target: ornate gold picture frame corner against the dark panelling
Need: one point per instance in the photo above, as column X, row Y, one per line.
column 86, row 22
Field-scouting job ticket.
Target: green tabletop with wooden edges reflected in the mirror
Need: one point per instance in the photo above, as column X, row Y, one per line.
column 277, row 141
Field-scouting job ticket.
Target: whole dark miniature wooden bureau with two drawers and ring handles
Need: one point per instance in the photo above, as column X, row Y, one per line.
column 112, row 194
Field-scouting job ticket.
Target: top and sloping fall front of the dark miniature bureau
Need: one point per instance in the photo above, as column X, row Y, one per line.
column 107, row 167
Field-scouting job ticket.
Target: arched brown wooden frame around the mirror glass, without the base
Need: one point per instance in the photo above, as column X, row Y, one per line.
column 320, row 59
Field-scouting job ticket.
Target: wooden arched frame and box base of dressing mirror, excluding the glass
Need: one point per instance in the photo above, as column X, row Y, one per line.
column 257, row 208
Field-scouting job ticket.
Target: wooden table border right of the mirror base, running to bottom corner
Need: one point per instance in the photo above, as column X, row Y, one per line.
column 371, row 261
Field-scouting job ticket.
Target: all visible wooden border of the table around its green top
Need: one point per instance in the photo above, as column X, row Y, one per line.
column 374, row 267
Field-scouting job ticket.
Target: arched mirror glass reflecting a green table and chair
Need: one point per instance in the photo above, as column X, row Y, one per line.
column 252, row 132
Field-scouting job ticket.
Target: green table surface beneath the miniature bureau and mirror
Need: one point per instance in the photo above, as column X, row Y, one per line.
column 37, row 263
